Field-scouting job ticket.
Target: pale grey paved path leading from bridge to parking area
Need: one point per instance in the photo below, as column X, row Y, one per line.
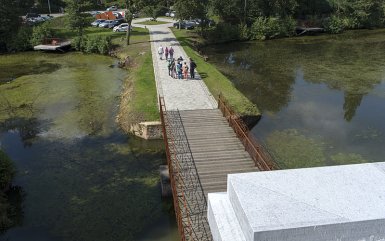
column 178, row 94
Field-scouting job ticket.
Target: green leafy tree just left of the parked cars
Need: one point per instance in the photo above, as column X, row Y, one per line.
column 77, row 18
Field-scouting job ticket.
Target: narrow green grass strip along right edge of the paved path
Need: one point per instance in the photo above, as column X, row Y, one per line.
column 215, row 80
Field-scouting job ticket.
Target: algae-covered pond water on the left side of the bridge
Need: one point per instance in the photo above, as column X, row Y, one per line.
column 81, row 177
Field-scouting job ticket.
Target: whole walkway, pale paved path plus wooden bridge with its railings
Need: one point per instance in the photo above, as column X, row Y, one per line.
column 205, row 140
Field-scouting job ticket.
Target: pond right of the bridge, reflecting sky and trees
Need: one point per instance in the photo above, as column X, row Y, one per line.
column 322, row 97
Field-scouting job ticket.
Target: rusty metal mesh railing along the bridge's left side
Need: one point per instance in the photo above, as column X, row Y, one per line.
column 189, row 200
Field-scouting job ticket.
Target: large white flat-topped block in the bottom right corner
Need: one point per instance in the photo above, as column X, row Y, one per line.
column 339, row 203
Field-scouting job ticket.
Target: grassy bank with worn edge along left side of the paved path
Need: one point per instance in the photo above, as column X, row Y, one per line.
column 139, row 98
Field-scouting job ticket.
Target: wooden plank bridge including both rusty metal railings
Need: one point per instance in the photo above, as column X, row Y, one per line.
column 203, row 147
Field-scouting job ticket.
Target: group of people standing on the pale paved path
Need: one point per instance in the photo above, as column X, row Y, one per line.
column 176, row 67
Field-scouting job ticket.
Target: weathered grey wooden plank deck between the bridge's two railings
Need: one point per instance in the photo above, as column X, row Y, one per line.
column 215, row 148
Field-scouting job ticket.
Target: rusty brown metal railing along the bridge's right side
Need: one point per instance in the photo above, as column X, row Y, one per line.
column 261, row 157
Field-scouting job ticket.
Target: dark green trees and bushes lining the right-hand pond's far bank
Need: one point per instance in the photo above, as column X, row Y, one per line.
column 260, row 20
